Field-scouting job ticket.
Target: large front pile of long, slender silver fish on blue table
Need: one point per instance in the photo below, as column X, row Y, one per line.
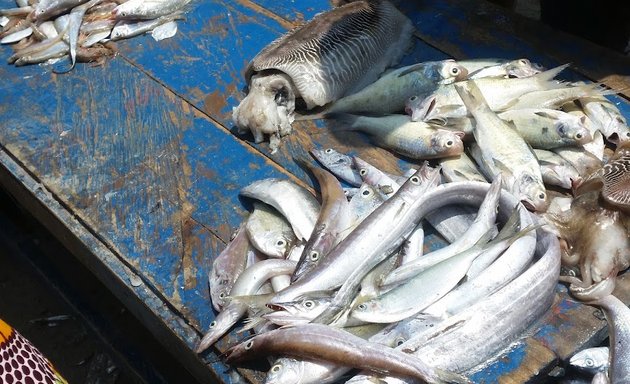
column 345, row 284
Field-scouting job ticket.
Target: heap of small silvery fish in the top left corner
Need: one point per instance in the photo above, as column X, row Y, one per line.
column 50, row 30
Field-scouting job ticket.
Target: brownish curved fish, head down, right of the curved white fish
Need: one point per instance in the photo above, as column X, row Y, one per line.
column 333, row 218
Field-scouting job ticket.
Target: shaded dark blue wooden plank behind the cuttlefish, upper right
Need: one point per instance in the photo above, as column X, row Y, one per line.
column 476, row 29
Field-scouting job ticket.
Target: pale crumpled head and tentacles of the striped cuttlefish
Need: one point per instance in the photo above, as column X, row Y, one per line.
column 268, row 108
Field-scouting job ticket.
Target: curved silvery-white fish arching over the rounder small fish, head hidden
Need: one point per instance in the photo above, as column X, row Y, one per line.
column 294, row 202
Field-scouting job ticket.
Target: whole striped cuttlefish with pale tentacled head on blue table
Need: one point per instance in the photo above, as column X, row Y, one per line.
column 337, row 53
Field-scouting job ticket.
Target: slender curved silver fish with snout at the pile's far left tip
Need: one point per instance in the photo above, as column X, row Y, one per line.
column 249, row 281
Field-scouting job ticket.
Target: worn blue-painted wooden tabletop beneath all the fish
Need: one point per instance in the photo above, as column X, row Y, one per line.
column 136, row 167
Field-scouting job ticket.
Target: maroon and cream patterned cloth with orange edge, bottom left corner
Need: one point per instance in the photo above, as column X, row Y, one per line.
column 21, row 362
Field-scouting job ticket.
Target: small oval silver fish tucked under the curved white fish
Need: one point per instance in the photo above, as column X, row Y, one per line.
column 269, row 232
